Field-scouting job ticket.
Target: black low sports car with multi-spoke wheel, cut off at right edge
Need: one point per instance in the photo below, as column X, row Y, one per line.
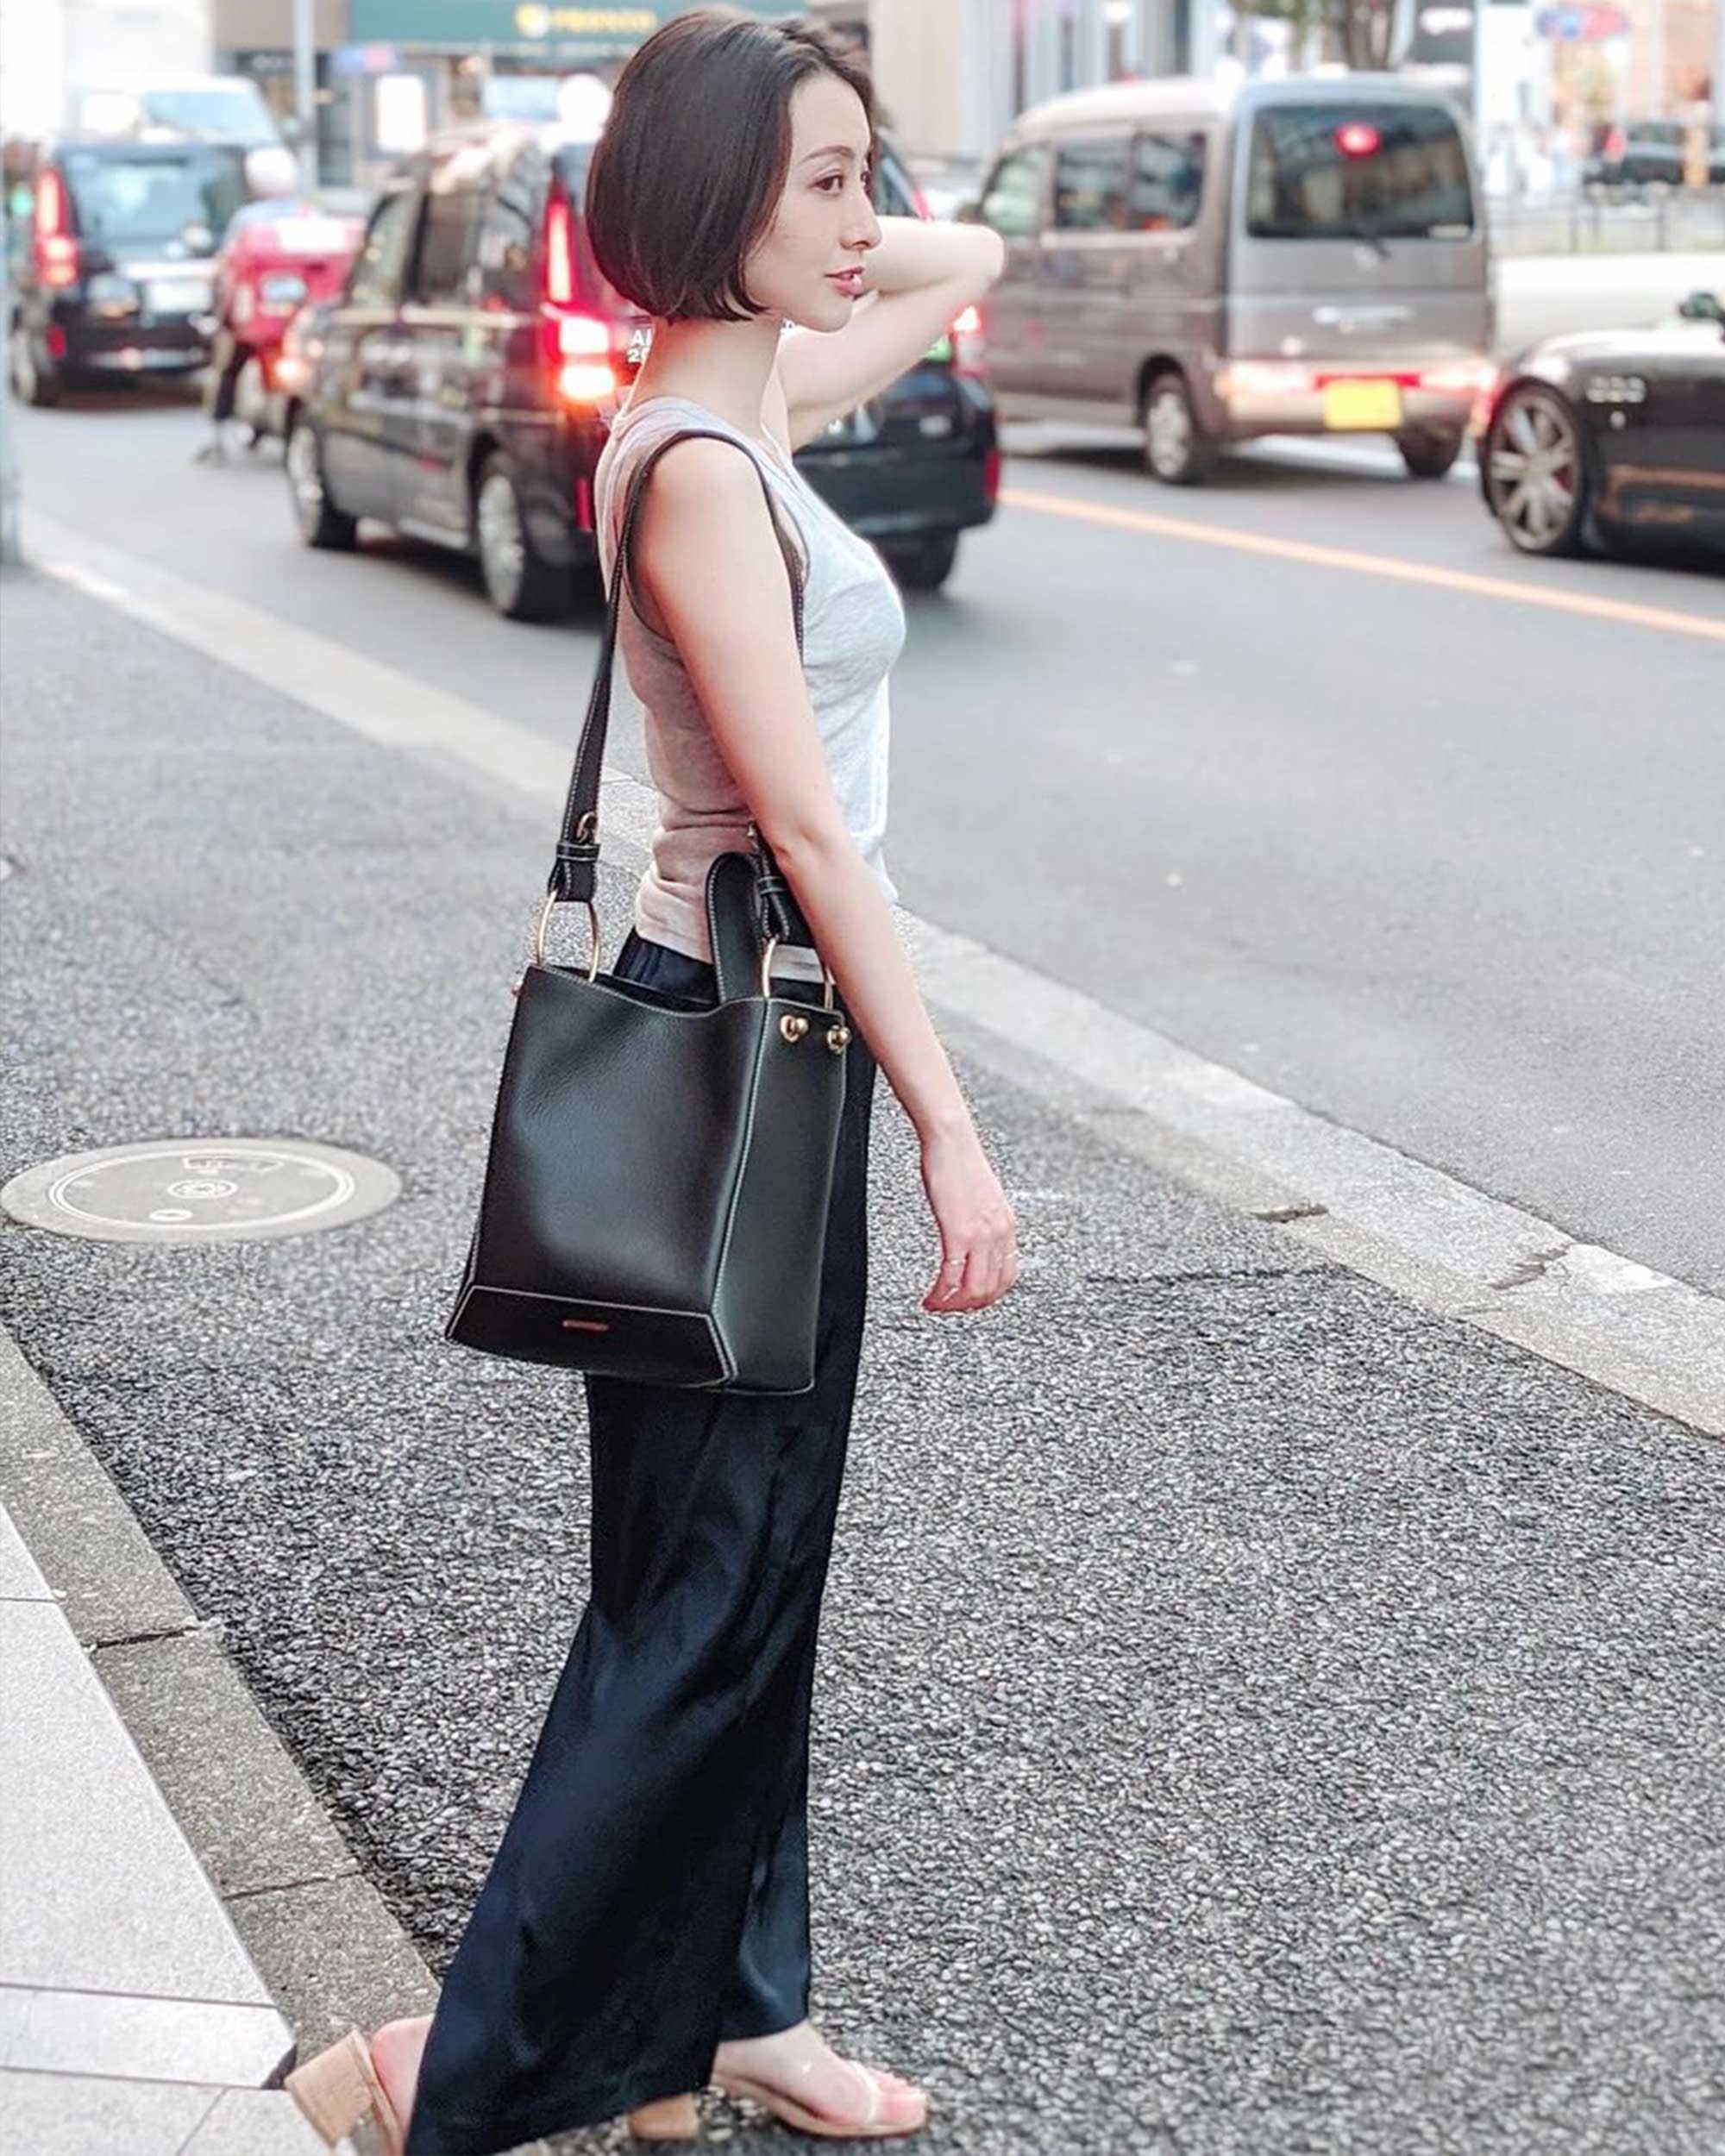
column 1597, row 437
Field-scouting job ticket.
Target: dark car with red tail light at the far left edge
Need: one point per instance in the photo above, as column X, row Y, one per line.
column 115, row 262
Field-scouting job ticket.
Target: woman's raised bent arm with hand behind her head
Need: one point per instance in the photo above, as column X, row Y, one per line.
column 915, row 286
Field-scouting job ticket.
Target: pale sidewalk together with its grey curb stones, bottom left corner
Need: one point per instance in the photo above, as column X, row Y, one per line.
column 204, row 1909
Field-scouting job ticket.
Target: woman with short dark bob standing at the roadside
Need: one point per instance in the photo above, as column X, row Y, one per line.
column 646, row 1924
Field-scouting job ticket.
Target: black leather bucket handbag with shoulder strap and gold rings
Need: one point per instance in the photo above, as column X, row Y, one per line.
column 661, row 1172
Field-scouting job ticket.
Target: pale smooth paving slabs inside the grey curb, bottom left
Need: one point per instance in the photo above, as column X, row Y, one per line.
column 133, row 2019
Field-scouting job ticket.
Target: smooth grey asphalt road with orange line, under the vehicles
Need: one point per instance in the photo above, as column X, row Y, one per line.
column 1439, row 863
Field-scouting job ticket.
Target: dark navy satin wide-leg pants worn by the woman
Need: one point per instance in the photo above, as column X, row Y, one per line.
column 652, row 1890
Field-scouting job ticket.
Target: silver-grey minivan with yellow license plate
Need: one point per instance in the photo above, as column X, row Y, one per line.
column 1297, row 258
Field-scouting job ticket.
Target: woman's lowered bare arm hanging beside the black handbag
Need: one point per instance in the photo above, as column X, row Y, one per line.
column 710, row 566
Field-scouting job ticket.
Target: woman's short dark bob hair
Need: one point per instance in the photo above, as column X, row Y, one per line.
column 695, row 152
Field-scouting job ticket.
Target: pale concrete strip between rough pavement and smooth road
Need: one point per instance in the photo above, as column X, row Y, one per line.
column 1431, row 1236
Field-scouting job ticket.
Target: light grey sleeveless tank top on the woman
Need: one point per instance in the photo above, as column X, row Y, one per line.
column 853, row 631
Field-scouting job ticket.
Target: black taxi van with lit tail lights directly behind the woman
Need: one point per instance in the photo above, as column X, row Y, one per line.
column 465, row 383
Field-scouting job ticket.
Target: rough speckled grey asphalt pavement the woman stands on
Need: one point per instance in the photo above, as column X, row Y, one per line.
column 1256, row 1717
